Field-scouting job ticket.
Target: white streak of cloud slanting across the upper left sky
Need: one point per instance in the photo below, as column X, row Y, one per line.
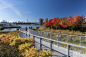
column 10, row 5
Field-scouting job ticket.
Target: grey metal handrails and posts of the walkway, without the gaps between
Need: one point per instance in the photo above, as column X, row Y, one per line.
column 36, row 34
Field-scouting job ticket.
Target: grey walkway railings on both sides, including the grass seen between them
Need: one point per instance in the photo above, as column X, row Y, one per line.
column 70, row 42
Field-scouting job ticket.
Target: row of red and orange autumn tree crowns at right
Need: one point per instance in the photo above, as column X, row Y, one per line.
column 65, row 22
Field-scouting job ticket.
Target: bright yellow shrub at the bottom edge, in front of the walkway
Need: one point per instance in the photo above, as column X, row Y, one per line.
column 33, row 52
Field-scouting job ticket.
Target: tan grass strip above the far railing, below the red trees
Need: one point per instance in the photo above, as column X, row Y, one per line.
column 62, row 31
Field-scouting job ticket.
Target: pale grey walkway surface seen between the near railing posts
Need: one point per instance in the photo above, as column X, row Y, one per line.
column 57, row 51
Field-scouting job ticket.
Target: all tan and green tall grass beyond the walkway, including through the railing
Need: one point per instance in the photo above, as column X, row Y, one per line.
column 71, row 39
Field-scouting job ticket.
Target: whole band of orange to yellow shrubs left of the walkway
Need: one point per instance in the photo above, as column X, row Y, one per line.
column 25, row 45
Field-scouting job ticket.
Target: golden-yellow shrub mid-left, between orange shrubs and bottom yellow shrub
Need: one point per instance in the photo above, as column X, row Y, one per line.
column 18, row 41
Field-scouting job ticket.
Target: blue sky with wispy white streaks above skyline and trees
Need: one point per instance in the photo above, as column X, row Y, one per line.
column 21, row 10
